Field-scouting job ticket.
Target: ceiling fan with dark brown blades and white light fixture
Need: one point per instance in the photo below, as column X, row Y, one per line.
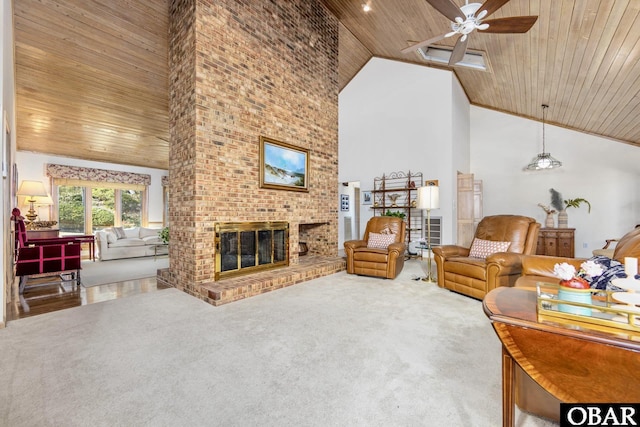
column 470, row 17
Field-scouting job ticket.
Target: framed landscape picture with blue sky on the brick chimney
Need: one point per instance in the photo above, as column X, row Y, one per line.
column 283, row 166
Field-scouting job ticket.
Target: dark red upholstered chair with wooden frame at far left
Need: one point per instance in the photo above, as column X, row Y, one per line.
column 45, row 256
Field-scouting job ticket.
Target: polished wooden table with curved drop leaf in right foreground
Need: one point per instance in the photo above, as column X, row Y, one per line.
column 574, row 364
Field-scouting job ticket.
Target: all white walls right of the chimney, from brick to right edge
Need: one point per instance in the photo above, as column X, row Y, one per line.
column 395, row 116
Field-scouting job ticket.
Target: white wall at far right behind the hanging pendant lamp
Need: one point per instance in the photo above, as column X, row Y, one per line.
column 604, row 172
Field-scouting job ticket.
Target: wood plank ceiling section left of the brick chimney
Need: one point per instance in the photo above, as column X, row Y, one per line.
column 92, row 79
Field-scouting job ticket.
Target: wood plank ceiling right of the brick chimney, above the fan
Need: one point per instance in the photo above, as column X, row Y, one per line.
column 582, row 58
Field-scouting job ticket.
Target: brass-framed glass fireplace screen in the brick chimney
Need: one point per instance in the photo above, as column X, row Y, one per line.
column 243, row 247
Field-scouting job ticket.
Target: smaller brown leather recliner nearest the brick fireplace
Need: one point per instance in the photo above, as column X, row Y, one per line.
column 385, row 263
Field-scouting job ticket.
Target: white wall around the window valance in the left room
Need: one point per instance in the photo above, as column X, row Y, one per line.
column 32, row 166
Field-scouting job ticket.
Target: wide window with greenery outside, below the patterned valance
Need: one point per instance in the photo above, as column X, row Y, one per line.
column 85, row 210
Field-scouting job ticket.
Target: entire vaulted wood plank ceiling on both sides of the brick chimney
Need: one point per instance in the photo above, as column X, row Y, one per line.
column 92, row 78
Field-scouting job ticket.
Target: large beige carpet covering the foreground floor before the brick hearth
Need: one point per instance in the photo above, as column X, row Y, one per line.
column 341, row 350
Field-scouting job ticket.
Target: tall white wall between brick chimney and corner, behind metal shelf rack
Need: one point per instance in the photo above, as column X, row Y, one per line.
column 395, row 116
